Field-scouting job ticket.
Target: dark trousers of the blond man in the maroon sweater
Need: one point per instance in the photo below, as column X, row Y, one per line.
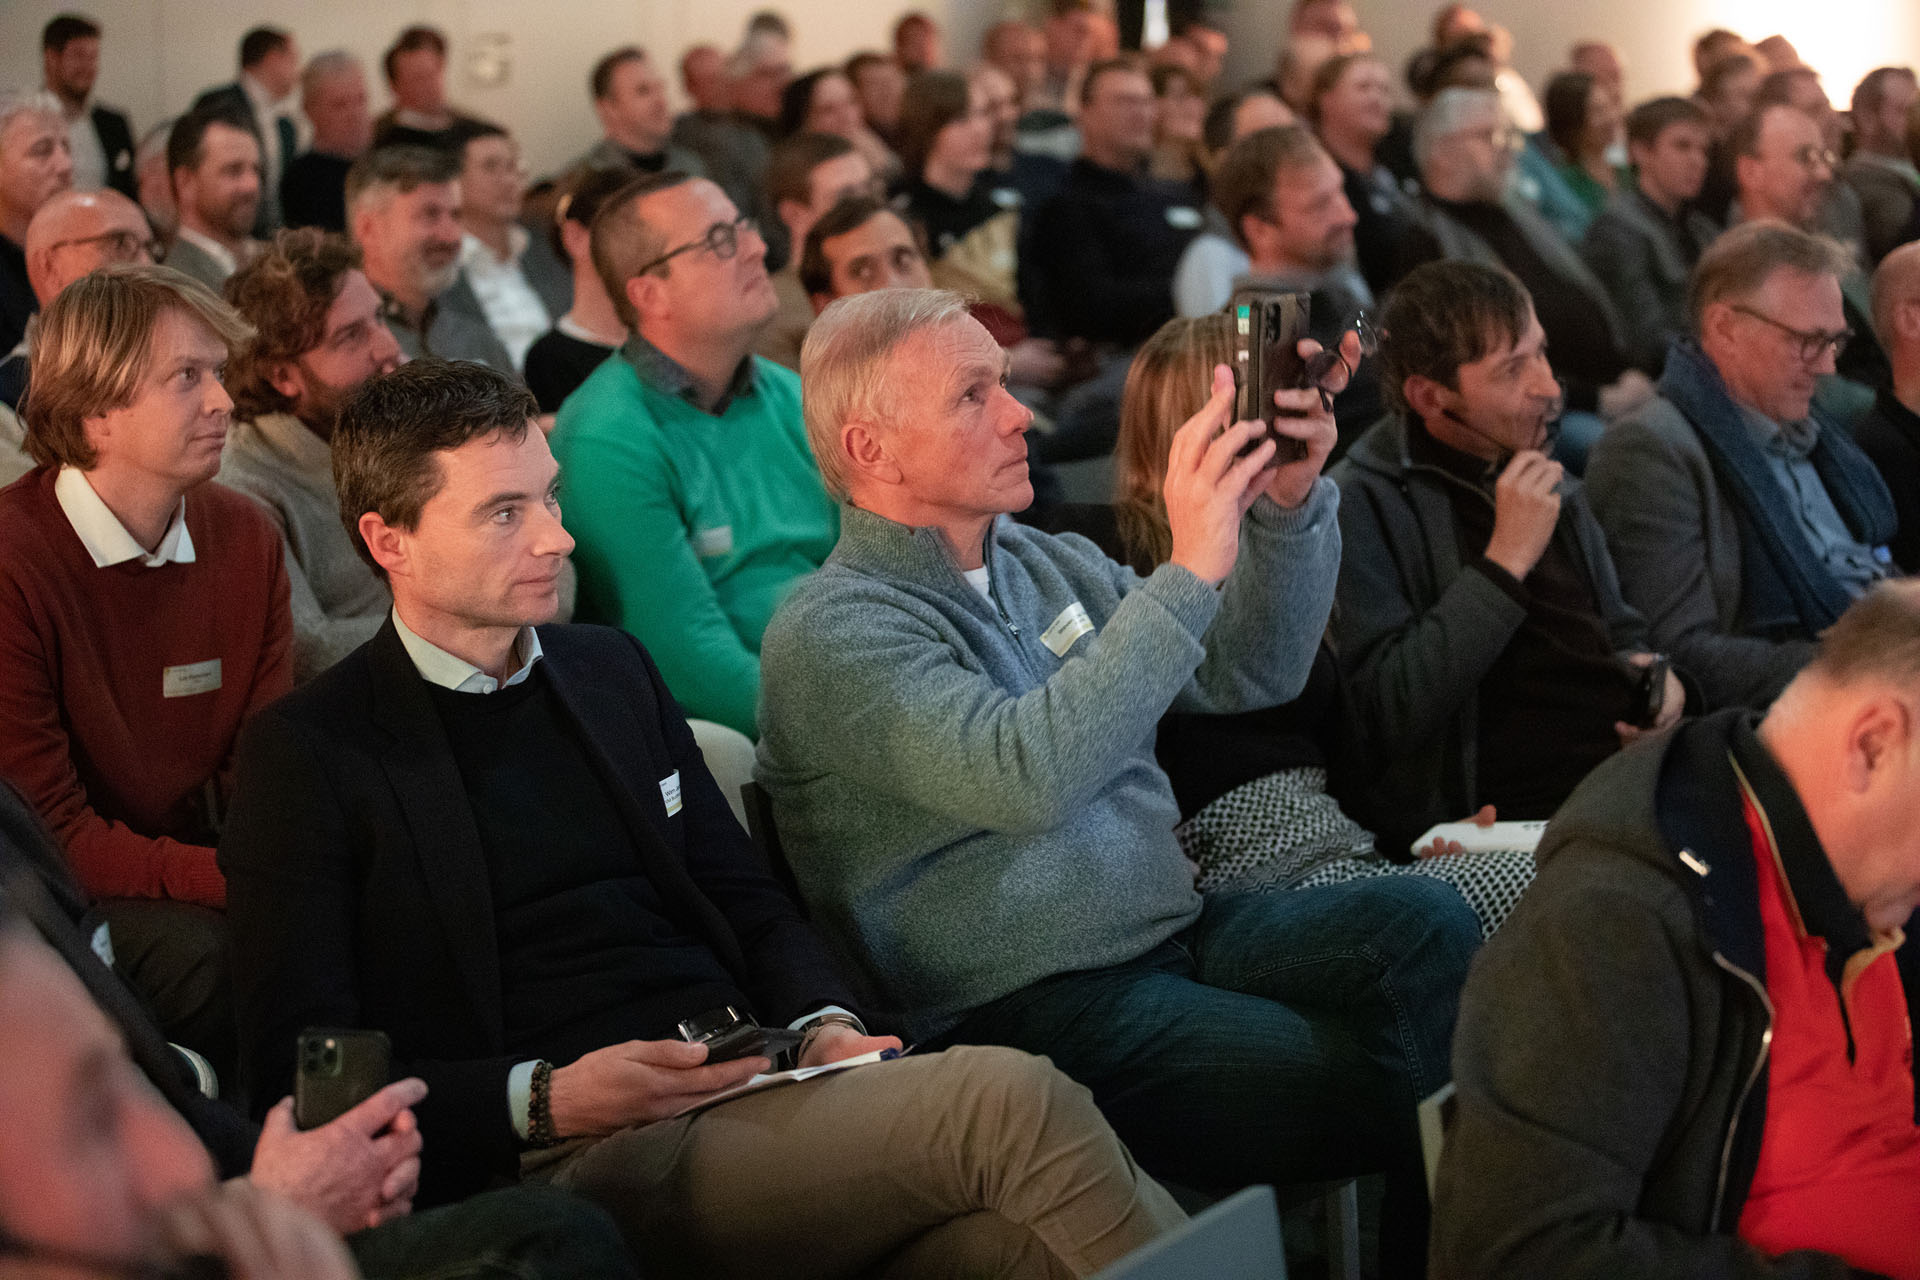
column 176, row 957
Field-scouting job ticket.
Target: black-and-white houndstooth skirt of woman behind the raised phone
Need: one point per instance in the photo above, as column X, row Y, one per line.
column 1285, row 832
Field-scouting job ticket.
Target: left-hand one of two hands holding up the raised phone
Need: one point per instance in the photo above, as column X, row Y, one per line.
column 1209, row 486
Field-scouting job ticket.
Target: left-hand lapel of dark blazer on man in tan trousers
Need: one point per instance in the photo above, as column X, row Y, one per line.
column 433, row 797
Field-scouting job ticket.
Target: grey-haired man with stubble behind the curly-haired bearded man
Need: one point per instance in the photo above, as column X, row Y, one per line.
column 404, row 212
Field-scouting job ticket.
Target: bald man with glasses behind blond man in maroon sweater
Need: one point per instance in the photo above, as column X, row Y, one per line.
column 72, row 235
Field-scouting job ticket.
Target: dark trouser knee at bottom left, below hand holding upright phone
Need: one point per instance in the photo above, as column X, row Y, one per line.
column 523, row 1233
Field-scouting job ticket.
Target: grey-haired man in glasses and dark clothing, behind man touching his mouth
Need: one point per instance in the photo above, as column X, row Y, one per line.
column 1466, row 153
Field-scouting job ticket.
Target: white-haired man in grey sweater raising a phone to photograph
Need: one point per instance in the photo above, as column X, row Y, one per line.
column 959, row 740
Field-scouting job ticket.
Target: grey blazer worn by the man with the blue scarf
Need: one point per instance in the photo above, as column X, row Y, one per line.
column 1677, row 546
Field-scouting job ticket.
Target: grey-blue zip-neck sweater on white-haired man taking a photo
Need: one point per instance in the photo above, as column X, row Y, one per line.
column 967, row 790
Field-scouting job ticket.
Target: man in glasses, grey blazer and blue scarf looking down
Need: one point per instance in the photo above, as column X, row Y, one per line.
column 1742, row 517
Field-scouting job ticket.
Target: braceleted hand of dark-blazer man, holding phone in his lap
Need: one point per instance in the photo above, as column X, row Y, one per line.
column 638, row 1083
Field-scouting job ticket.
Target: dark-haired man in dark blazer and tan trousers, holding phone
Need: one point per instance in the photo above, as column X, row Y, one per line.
column 496, row 841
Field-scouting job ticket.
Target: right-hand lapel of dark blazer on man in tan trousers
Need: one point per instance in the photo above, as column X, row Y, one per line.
column 617, row 751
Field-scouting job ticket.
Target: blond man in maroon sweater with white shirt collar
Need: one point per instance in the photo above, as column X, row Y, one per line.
column 143, row 617
